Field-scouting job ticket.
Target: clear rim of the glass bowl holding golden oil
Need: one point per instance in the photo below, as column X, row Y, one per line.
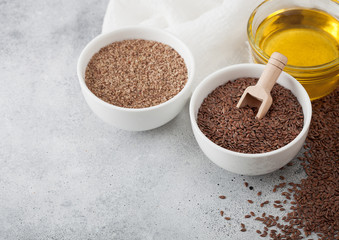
column 265, row 57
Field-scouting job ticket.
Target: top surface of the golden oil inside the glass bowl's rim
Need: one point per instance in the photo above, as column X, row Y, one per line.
column 306, row 37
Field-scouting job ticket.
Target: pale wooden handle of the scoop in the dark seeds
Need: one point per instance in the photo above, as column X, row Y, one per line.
column 275, row 65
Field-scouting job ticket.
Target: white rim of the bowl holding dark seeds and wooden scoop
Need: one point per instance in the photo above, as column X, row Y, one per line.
column 242, row 67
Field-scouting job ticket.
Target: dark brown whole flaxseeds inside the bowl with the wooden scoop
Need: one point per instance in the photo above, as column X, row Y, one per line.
column 238, row 130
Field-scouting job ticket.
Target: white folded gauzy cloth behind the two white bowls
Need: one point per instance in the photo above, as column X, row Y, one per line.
column 214, row 30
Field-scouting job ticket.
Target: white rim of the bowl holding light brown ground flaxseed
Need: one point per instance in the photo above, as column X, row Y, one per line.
column 141, row 30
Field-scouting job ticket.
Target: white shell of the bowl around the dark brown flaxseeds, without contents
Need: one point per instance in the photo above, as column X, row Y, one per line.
column 244, row 163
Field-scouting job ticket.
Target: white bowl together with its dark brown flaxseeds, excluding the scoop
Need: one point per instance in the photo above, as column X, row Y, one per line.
column 233, row 138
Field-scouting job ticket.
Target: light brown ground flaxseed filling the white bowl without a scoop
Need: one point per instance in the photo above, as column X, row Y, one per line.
column 136, row 73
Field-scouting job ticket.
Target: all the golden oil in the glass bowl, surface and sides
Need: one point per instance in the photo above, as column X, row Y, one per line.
column 310, row 40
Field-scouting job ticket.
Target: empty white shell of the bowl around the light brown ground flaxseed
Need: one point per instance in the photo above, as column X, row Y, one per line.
column 136, row 119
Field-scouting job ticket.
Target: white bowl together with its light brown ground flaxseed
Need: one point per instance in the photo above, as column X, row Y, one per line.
column 136, row 78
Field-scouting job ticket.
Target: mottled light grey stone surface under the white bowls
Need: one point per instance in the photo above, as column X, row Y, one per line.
column 64, row 174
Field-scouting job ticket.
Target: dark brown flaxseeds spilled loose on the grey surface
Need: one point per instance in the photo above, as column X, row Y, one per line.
column 312, row 206
